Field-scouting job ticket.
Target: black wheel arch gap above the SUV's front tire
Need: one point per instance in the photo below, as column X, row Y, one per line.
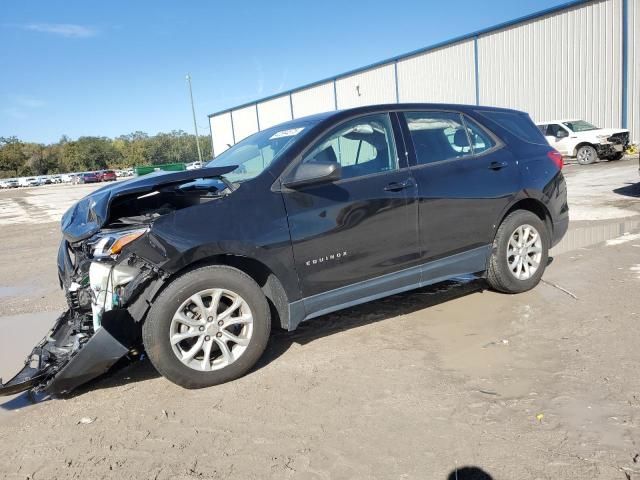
column 261, row 274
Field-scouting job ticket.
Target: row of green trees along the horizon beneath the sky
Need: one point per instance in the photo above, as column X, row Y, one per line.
column 21, row 159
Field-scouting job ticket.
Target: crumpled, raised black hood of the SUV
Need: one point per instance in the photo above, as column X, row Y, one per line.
column 90, row 213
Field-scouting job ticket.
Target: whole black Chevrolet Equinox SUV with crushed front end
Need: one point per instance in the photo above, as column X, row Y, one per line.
column 296, row 221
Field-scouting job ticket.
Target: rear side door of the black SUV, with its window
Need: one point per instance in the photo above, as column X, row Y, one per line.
column 466, row 178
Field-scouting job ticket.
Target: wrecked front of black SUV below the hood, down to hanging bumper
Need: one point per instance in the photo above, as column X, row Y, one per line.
column 96, row 331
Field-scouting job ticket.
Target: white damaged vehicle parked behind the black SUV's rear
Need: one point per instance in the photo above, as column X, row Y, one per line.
column 586, row 142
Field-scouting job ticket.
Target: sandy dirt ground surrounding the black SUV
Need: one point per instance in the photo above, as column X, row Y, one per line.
column 539, row 385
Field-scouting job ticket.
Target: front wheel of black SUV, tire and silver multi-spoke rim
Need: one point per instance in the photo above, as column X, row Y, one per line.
column 208, row 326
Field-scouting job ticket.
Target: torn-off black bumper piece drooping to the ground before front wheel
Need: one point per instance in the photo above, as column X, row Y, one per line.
column 68, row 357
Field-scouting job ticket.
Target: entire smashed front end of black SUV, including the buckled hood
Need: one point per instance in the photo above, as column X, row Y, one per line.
column 108, row 287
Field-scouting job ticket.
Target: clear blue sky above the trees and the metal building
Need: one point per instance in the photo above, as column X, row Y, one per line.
column 108, row 68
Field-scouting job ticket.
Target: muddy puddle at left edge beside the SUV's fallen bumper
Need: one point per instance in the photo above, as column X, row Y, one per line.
column 22, row 333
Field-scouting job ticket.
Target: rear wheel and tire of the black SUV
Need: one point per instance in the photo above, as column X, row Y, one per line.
column 506, row 273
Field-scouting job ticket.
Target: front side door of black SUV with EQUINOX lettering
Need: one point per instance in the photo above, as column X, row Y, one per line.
column 361, row 227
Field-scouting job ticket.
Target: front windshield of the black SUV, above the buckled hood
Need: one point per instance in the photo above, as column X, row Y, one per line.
column 255, row 153
